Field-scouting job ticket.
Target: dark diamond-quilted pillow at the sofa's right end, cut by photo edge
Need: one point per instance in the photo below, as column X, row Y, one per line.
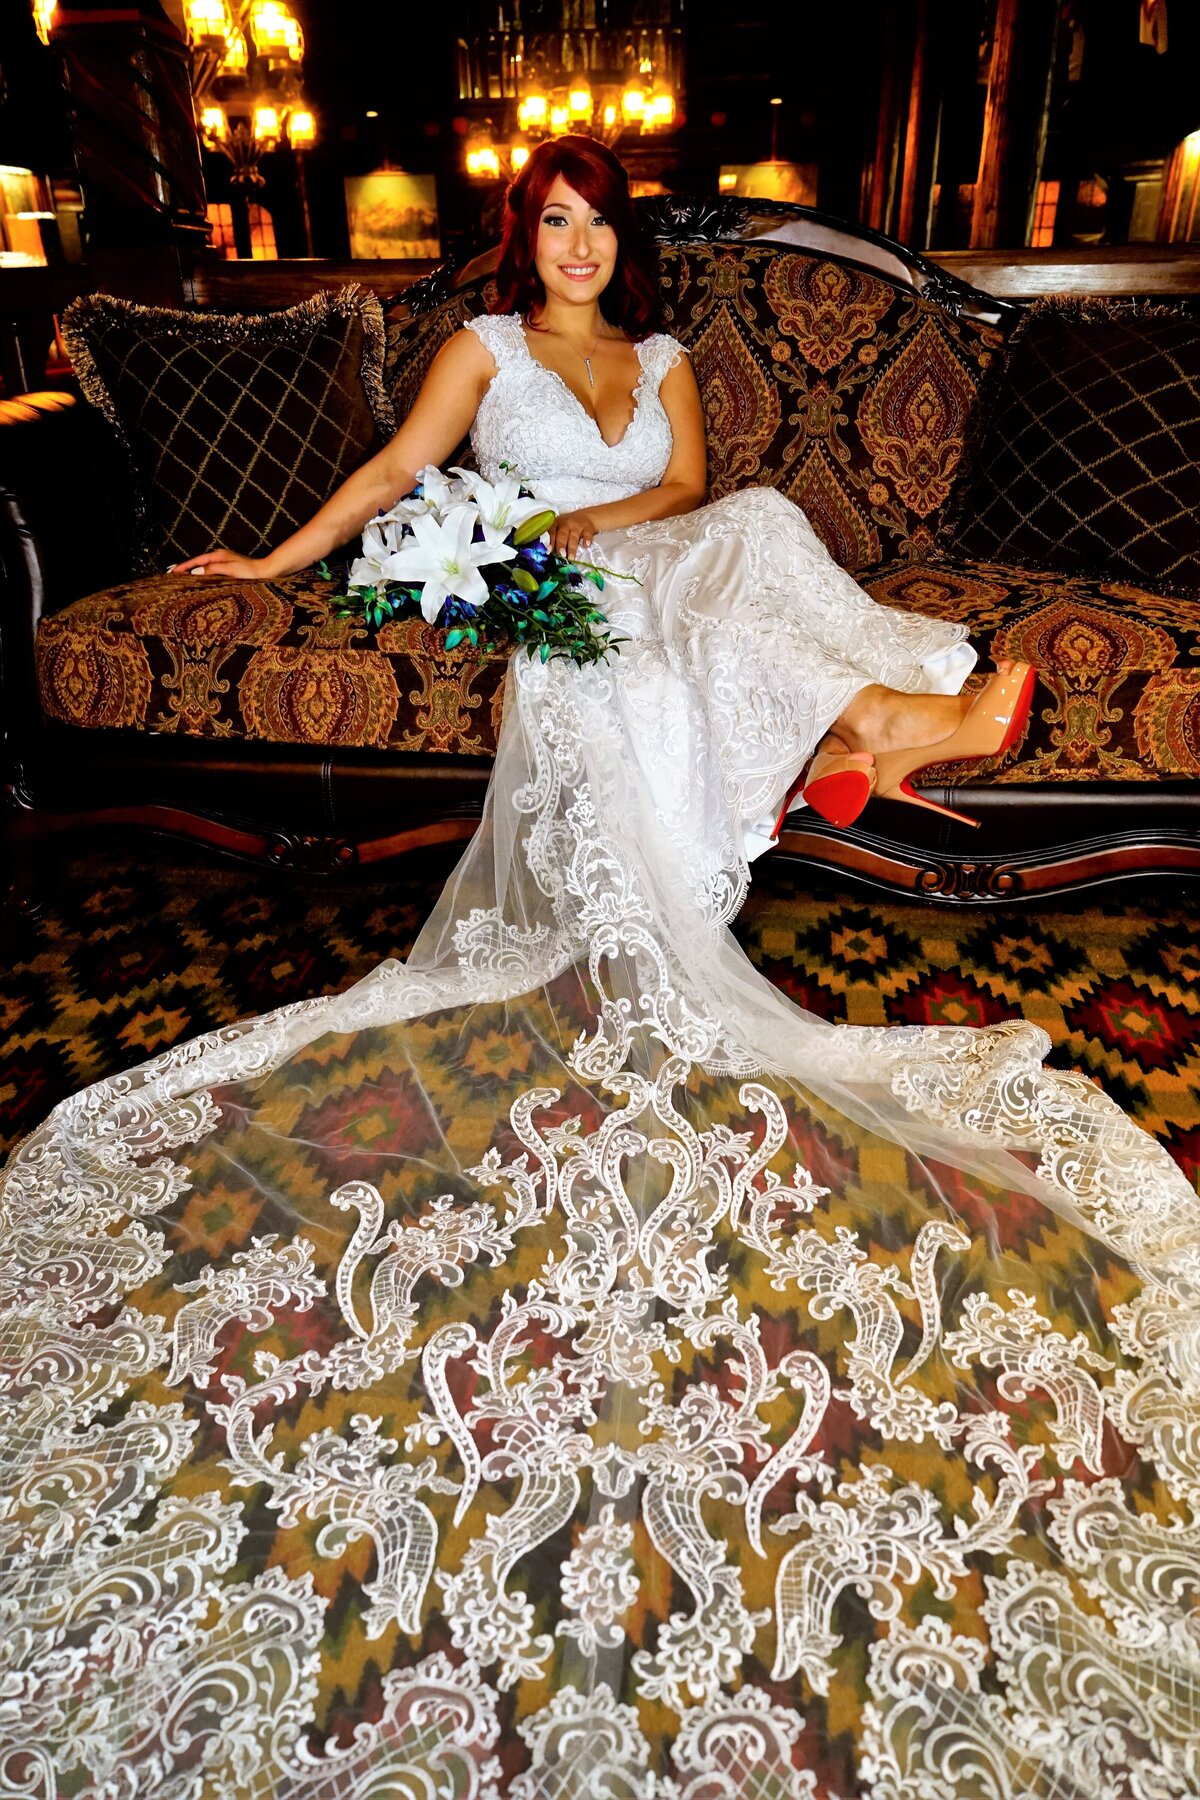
column 1088, row 453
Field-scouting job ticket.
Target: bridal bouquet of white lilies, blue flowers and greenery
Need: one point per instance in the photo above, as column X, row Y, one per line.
column 472, row 557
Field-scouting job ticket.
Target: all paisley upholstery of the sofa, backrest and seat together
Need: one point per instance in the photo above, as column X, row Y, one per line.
column 818, row 379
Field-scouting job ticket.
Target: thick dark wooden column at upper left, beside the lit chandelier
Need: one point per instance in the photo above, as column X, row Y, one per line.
column 138, row 154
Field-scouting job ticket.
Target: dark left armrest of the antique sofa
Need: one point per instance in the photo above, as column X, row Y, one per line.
column 66, row 530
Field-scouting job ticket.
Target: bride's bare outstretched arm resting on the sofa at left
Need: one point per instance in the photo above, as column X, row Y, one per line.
column 440, row 418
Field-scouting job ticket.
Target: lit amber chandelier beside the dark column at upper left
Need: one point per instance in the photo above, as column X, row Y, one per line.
column 247, row 82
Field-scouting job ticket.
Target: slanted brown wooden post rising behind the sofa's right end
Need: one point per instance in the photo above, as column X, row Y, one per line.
column 1016, row 121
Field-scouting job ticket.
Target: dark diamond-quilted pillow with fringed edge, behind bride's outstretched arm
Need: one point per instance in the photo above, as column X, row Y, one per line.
column 238, row 427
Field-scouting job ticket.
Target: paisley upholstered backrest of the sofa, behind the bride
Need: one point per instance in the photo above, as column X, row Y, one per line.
column 828, row 382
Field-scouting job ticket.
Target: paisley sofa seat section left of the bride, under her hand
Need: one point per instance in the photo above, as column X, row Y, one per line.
column 264, row 660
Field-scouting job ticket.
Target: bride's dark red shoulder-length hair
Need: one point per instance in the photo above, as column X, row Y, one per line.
column 631, row 301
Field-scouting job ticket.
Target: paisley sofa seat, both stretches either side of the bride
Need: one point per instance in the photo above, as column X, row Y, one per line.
column 1118, row 696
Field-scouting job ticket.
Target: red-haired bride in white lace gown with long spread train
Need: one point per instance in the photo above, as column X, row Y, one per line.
column 560, row 1367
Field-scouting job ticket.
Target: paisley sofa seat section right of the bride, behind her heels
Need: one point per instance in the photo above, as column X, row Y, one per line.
column 1118, row 667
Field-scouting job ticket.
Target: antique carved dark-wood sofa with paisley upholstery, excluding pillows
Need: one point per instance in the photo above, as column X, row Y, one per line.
column 836, row 366
